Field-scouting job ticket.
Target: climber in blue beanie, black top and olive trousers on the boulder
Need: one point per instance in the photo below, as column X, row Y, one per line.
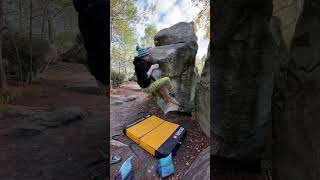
column 162, row 87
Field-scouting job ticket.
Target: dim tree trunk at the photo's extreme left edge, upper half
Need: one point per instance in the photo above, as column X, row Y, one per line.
column 3, row 78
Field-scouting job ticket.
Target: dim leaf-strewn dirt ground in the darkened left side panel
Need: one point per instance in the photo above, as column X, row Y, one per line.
column 56, row 129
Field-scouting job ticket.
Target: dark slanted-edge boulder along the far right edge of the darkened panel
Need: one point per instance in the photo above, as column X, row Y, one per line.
column 298, row 147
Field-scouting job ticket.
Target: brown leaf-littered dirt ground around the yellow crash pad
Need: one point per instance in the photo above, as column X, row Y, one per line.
column 128, row 103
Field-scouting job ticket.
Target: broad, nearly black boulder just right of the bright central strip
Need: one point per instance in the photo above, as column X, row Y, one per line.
column 242, row 78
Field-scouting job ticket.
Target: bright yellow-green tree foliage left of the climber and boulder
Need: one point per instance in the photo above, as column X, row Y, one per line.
column 124, row 16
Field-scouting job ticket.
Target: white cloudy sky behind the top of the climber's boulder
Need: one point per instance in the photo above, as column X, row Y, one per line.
column 168, row 13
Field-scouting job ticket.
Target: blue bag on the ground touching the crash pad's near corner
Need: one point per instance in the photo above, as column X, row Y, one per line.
column 165, row 166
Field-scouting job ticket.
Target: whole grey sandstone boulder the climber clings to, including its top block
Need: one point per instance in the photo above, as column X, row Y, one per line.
column 175, row 53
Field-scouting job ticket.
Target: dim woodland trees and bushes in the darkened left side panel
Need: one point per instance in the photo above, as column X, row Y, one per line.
column 17, row 18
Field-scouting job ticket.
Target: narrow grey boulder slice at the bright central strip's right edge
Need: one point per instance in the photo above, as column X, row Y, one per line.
column 202, row 97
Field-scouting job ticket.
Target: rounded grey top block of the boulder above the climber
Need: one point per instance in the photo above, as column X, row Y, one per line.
column 178, row 33
